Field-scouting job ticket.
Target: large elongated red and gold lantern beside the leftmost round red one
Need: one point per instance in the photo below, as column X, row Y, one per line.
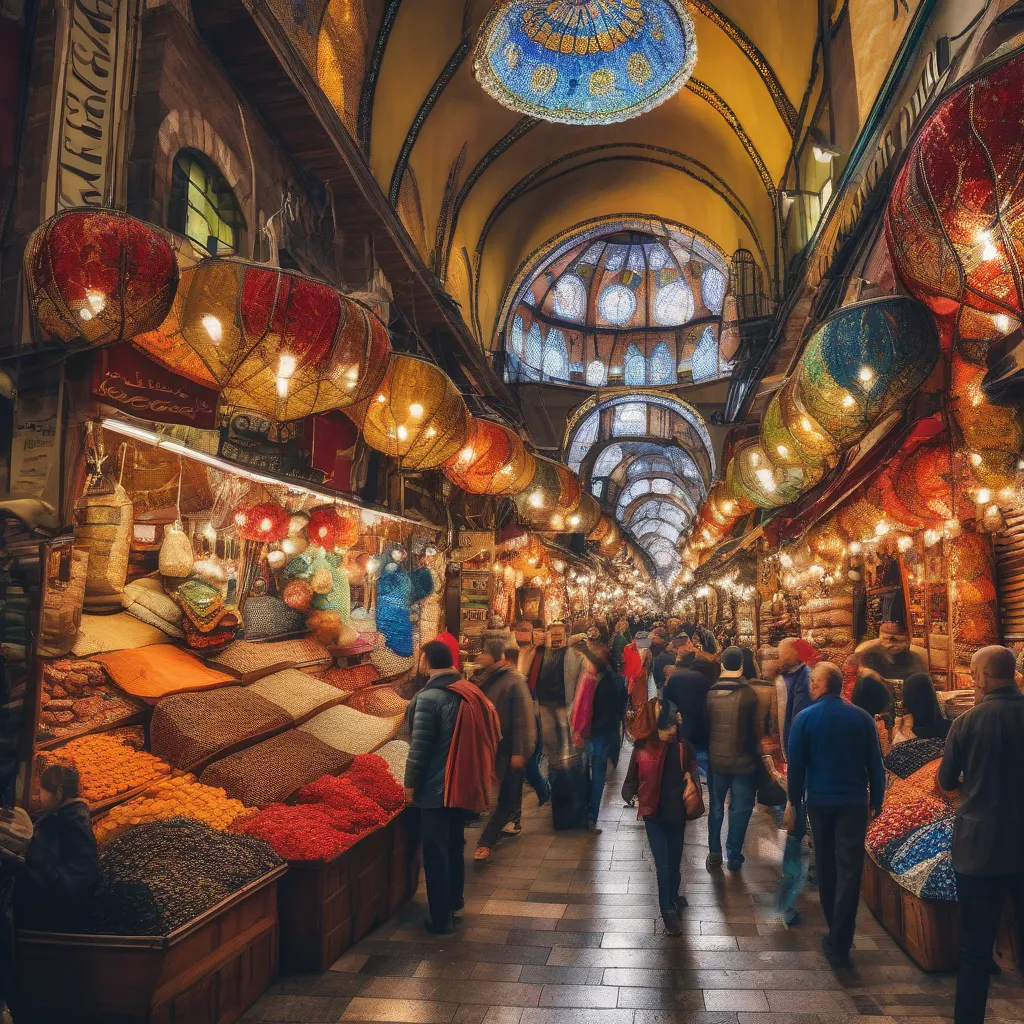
column 270, row 340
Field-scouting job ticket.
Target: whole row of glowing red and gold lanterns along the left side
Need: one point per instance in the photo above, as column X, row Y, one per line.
column 286, row 347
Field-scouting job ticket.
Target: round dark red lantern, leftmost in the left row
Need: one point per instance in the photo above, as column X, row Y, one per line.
column 98, row 277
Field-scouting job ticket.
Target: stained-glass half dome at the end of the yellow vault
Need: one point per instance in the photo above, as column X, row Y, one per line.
column 627, row 308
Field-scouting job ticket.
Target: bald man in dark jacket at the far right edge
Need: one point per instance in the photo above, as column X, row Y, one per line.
column 986, row 747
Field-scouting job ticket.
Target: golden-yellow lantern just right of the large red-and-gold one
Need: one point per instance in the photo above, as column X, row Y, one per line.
column 417, row 415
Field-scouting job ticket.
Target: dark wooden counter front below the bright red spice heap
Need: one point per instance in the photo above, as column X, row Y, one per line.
column 327, row 907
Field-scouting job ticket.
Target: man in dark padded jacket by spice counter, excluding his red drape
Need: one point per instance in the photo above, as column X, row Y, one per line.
column 432, row 717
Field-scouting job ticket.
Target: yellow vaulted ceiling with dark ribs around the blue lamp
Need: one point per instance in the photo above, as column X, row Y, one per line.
column 709, row 159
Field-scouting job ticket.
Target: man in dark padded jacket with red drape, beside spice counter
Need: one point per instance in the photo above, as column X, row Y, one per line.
column 454, row 735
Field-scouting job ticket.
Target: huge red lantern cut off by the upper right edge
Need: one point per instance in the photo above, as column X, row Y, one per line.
column 955, row 224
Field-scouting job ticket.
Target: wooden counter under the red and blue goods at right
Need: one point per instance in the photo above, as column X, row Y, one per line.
column 927, row 931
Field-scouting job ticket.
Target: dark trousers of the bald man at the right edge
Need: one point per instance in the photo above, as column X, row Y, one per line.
column 980, row 904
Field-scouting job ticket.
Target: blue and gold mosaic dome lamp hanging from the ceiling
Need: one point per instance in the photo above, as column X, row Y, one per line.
column 585, row 62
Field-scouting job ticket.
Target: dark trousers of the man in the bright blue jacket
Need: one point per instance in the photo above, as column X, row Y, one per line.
column 839, row 855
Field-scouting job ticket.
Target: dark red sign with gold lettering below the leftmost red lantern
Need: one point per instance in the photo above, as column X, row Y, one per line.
column 127, row 380
